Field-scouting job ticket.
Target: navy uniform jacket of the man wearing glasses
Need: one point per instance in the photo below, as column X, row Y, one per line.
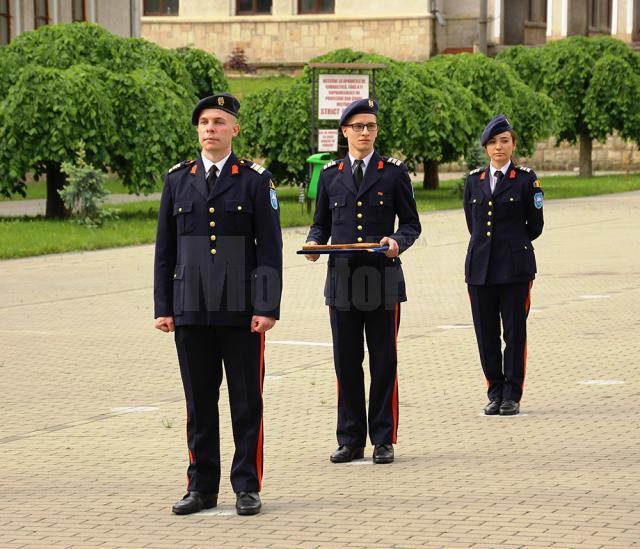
column 367, row 215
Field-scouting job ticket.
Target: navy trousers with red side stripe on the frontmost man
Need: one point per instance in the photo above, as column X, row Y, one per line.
column 202, row 350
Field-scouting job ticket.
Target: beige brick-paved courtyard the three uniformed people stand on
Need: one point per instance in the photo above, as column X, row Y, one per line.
column 92, row 437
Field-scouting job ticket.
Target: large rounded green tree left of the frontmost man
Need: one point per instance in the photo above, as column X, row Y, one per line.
column 127, row 99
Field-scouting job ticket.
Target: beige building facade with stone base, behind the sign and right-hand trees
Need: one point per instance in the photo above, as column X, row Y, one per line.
column 293, row 31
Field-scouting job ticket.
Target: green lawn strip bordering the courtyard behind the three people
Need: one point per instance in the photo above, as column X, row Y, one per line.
column 22, row 237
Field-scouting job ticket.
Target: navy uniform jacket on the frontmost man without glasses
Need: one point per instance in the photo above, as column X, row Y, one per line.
column 218, row 257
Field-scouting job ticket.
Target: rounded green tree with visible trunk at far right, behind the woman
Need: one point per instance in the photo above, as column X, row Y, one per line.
column 593, row 83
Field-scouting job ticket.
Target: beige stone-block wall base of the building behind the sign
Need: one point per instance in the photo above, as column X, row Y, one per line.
column 271, row 40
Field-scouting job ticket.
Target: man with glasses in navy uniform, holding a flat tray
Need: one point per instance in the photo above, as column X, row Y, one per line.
column 358, row 200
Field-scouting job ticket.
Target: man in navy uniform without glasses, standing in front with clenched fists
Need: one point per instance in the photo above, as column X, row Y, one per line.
column 218, row 272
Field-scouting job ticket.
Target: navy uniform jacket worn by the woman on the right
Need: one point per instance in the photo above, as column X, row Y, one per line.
column 502, row 226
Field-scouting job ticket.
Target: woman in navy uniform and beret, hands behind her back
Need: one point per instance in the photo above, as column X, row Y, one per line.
column 503, row 209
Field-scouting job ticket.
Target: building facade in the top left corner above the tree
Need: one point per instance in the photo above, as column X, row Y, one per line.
column 119, row 16
